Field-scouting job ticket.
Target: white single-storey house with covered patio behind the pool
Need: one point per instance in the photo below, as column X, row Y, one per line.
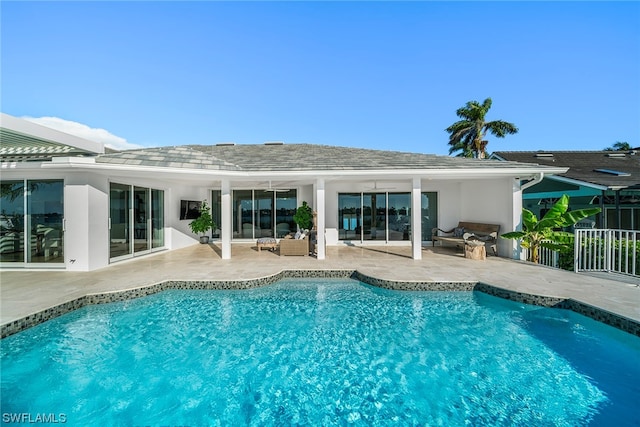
column 69, row 203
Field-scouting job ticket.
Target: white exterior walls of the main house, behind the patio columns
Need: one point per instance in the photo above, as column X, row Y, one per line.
column 496, row 200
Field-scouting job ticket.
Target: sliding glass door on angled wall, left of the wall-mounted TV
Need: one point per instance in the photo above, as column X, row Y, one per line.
column 136, row 218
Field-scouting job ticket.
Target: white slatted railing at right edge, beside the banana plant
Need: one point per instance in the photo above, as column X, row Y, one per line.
column 614, row 251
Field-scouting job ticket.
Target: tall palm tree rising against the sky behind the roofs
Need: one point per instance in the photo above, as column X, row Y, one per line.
column 467, row 135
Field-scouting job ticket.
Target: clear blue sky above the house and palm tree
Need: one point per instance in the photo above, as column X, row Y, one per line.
column 384, row 75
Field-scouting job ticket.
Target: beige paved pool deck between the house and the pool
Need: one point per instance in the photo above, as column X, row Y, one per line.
column 26, row 292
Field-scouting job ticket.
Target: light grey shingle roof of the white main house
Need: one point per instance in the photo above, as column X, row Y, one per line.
column 293, row 157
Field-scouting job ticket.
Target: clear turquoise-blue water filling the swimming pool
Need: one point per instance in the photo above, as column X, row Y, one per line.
column 322, row 352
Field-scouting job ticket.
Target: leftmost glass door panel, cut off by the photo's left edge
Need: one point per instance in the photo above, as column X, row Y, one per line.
column 12, row 221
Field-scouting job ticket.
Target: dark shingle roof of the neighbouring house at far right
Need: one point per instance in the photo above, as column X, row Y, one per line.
column 613, row 169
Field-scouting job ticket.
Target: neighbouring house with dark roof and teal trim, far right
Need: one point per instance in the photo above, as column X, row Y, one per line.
column 606, row 179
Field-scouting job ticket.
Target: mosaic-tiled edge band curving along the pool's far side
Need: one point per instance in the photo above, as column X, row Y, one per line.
column 612, row 319
